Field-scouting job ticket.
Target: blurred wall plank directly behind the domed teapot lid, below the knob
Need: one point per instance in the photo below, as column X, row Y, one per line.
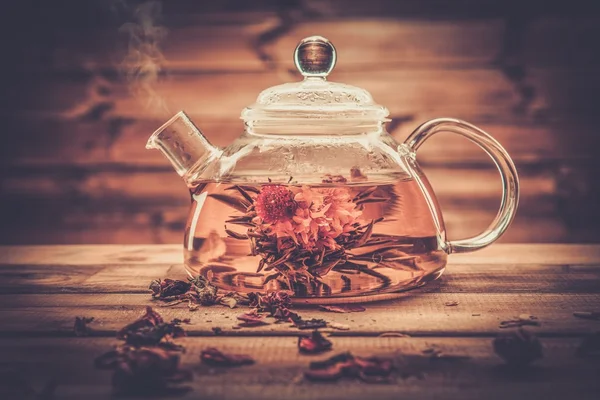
column 471, row 94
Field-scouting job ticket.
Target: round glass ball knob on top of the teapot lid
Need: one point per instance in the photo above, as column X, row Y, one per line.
column 315, row 56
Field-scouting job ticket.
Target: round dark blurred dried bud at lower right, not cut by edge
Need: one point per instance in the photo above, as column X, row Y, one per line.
column 518, row 348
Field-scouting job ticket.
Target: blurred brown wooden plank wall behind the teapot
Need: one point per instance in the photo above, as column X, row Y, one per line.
column 74, row 167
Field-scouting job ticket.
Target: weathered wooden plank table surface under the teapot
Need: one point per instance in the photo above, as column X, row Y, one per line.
column 43, row 288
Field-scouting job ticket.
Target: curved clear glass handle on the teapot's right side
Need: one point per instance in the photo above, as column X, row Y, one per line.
column 508, row 175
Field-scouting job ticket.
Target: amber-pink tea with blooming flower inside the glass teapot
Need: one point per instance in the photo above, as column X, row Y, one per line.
column 331, row 242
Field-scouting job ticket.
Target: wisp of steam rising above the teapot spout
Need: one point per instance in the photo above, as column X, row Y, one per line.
column 144, row 62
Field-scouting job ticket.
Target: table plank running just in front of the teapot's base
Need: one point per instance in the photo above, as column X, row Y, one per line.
column 416, row 314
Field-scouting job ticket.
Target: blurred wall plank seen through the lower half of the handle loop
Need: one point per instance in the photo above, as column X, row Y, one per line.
column 463, row 186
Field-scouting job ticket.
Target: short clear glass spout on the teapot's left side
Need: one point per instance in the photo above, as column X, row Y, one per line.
column 183, row 144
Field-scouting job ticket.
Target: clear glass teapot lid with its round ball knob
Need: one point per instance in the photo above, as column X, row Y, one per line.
column 314, row 101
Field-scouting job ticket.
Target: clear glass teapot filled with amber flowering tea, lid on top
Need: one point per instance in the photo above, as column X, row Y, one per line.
column 316, row 198
